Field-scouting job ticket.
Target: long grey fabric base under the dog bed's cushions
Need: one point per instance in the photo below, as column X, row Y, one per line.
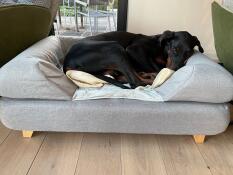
column 115, row 116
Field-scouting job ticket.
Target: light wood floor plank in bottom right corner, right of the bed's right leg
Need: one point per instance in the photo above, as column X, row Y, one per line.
column 218, row 153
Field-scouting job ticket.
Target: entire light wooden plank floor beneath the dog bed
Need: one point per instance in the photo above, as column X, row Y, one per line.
column 114, row 154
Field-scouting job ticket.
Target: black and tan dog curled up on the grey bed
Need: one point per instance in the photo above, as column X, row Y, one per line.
column 131, row 58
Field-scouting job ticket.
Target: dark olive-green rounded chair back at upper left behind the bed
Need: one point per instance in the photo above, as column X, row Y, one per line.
column 21, row 26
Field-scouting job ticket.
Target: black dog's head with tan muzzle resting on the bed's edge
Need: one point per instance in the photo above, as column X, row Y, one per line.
column 178, row 48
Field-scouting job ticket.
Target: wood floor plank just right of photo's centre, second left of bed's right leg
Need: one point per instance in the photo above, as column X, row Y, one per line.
column 141, row 155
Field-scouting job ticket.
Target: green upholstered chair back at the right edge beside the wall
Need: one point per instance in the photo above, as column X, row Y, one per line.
column 223, row 34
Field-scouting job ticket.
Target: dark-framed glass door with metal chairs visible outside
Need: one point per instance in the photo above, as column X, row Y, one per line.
column 90, row 17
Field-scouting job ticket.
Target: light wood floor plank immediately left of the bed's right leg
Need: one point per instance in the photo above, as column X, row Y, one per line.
column 181, row 156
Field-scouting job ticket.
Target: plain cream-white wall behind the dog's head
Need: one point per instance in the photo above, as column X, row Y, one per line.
column 155, row 16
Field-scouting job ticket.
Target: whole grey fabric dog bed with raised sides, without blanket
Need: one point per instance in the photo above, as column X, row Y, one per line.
column 39, row 98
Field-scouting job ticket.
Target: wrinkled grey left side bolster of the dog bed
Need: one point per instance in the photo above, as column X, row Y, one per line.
column 25, row 76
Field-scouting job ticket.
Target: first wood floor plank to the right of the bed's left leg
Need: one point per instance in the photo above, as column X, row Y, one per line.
column 58, row 155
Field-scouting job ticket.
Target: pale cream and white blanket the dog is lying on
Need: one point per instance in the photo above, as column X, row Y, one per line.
column 91, row 87
